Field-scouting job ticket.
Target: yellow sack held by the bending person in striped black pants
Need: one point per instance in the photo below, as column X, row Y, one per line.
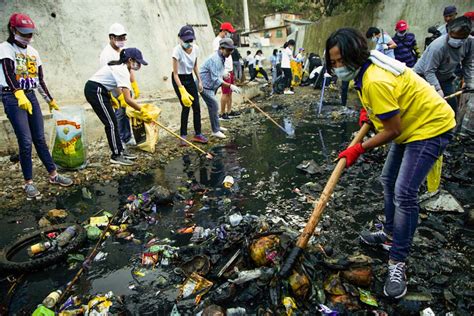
column 146, row 134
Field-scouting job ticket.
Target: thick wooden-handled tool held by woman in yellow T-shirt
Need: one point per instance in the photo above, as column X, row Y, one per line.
column 319, row 208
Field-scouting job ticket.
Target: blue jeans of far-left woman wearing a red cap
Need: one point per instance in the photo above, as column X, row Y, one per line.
column 29, row 129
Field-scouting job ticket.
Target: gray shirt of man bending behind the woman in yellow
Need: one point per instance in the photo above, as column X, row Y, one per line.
column 439, row 61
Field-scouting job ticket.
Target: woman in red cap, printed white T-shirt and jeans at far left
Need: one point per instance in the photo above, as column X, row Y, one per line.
column 21, row 73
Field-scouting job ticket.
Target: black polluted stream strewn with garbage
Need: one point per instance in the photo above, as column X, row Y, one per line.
column 178, row 257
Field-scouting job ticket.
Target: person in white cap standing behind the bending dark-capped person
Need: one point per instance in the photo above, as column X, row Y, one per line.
column 117, row 41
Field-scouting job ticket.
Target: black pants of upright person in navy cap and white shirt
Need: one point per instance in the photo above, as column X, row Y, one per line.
column 188, row 82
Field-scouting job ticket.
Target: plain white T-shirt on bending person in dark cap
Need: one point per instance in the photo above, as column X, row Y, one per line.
column 112, row 77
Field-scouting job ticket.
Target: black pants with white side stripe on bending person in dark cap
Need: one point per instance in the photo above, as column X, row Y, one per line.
column 99, row 98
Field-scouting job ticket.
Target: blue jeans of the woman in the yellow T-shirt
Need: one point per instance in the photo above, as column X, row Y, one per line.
column 406, row 167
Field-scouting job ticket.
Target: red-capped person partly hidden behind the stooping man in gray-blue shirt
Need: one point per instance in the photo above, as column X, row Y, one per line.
column 226, row 31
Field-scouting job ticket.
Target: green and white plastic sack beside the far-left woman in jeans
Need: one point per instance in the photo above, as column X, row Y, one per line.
column 69, row 148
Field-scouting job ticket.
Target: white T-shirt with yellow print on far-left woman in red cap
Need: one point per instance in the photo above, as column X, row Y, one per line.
column 27, row 62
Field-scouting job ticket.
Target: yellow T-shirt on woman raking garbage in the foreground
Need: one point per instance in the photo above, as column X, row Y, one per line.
column 424, row 113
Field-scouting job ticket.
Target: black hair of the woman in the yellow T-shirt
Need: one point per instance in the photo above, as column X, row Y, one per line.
column 352, row 45
